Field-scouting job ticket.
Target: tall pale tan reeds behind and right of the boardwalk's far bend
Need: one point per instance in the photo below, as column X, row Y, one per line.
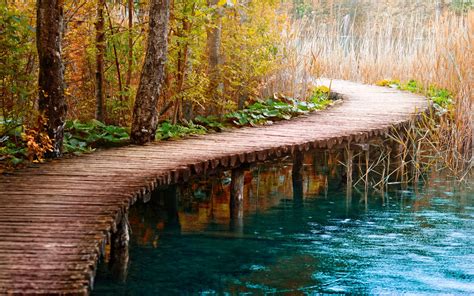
column 380, row 41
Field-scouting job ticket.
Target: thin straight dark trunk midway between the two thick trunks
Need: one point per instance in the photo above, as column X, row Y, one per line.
column 100, row 51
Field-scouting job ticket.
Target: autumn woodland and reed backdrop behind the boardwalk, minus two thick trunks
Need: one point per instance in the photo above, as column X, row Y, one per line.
column 223, row 55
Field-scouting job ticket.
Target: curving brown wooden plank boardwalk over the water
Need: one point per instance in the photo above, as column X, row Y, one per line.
column 56, row 217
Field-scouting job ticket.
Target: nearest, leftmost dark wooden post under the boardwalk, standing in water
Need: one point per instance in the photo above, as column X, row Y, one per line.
column 119, row 255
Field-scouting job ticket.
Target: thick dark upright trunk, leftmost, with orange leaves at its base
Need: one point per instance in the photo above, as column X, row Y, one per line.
column 51, row 103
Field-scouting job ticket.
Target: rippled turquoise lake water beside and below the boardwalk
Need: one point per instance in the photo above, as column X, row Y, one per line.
column 326, row 241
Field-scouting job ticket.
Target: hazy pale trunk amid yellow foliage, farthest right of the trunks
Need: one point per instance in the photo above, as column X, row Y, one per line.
column 213, row 46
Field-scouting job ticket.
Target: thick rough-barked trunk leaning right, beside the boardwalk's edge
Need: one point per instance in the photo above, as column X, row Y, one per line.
column 145, row 115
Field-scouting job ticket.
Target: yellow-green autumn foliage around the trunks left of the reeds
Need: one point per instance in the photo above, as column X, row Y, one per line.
column 251, row 50
